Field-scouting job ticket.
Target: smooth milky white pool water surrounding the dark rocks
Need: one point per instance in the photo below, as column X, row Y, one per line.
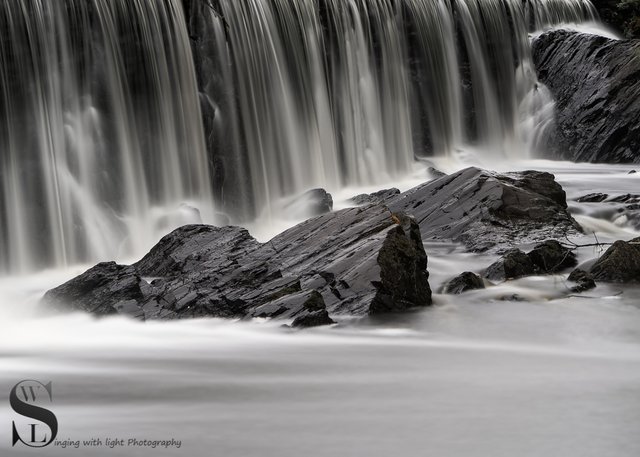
column 474, row 375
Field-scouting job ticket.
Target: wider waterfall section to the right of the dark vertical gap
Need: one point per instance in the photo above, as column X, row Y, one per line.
column 349, row 92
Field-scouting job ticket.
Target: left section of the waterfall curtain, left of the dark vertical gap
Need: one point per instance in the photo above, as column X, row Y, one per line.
column 100, row 126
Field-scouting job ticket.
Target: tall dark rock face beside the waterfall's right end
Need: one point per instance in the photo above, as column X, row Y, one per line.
column 596, row 85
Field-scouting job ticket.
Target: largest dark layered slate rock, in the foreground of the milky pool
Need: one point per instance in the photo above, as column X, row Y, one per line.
column 356, row 261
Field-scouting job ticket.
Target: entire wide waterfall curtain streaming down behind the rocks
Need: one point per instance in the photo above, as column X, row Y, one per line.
column 121, row 119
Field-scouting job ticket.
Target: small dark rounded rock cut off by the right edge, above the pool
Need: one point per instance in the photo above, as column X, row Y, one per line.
column 620, row 263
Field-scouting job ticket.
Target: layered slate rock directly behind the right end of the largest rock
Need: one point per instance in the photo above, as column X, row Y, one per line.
column 489, row 211
